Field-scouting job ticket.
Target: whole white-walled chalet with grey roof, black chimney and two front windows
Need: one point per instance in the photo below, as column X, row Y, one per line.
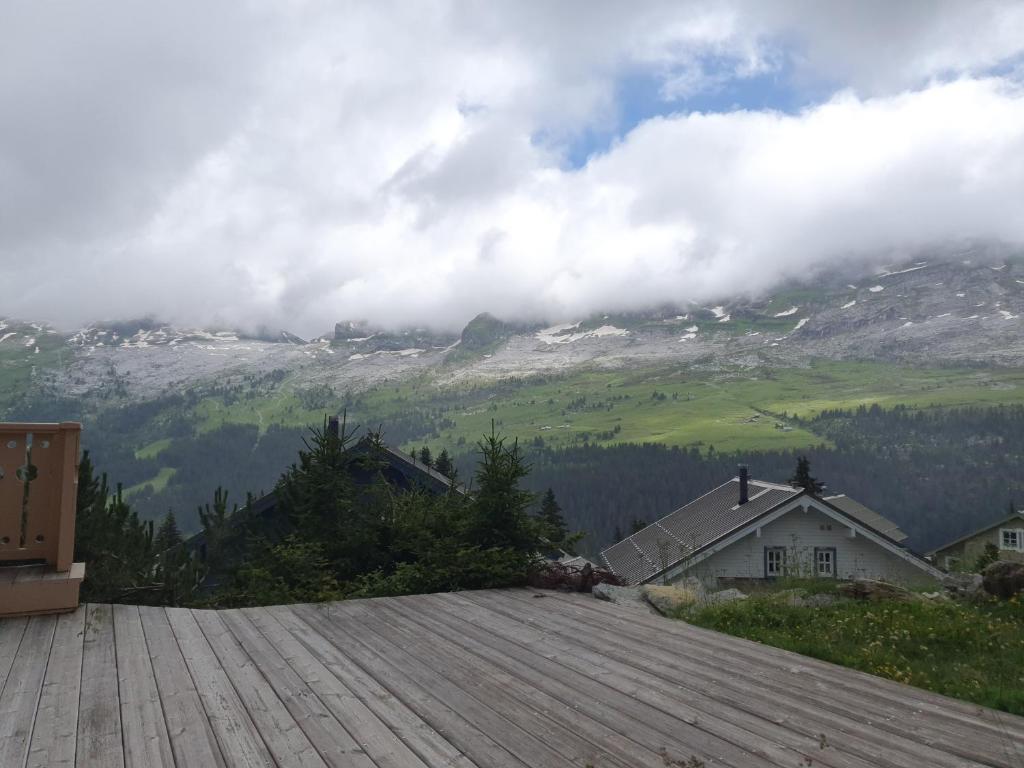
column 749, row 529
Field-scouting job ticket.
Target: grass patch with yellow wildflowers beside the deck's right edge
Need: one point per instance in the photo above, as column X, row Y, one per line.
column 973, row 652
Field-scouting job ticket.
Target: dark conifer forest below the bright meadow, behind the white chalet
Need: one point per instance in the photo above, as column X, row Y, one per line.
column 938, row 474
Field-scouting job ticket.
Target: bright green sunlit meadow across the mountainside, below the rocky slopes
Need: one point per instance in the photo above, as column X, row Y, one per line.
column 738, row 410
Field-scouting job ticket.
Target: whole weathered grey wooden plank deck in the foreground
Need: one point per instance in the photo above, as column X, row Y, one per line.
column 488, row 679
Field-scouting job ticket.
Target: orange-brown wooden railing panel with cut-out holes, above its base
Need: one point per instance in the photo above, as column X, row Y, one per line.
column 38, row 490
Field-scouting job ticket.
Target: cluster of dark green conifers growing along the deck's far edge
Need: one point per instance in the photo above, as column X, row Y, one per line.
column 337, row 530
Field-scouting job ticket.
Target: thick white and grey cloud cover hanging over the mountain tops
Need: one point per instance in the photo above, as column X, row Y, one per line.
column 402, row 162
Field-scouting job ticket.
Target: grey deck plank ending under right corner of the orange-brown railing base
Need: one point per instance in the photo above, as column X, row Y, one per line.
column 56, row 733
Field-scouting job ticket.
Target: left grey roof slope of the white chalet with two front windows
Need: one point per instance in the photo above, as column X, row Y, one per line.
column 693, row 528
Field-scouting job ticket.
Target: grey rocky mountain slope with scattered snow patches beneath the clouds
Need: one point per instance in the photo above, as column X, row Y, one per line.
column 951, row 313
